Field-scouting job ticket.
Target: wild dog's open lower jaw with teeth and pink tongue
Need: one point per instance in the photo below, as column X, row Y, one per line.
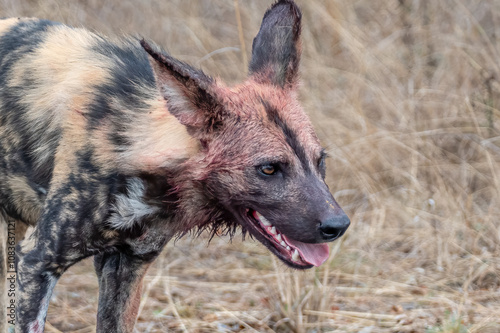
column 294, row 253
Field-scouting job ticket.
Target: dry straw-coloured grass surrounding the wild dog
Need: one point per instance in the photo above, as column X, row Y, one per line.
column 405, row 95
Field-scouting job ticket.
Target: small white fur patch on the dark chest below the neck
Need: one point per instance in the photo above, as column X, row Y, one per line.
column 130, row 208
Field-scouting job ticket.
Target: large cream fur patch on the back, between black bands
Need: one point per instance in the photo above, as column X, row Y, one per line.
column 66, row 71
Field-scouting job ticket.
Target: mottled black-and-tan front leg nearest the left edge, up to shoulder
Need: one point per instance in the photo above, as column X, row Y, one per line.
column 74, row 208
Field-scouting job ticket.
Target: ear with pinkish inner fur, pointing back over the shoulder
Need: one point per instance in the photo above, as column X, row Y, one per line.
column 189, row 93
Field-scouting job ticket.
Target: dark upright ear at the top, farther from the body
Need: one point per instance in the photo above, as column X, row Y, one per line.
column 276, row 48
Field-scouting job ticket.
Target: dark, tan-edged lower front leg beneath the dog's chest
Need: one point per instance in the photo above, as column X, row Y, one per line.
column 120, row 286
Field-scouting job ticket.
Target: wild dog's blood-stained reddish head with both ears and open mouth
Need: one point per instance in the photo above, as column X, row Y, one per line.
column 260, row 164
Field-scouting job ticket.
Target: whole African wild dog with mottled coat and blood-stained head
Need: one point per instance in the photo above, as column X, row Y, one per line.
column 111, row 147
